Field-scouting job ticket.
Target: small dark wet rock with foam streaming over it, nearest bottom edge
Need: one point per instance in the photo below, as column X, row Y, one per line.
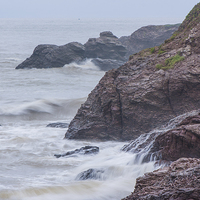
column 96, row 174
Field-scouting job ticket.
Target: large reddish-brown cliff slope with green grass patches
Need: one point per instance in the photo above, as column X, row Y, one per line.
column 154, row 86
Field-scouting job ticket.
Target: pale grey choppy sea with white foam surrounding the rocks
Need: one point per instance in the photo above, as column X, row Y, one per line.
column 31, row 99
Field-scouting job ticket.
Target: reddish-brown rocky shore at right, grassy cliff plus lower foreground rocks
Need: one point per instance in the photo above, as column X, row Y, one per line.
column 154, row 86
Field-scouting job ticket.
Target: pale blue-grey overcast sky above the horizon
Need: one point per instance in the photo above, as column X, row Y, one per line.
column 90, row 9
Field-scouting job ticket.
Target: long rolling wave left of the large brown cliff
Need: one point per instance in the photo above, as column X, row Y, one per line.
column 48, row 109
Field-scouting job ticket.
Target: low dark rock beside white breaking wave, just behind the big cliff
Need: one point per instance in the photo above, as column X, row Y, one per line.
column 107, row 64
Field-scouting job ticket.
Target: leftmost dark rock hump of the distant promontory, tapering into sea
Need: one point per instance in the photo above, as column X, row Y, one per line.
column 51, row 56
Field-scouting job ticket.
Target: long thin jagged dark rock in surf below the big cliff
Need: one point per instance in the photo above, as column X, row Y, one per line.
column 83, row 151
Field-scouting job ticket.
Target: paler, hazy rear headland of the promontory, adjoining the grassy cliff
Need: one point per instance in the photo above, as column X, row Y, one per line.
column 146, row 37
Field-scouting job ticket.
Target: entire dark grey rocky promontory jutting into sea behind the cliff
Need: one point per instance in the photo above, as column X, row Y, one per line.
column 106, row 51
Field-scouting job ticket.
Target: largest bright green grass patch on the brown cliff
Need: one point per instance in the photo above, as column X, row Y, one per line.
column 170, row 62
